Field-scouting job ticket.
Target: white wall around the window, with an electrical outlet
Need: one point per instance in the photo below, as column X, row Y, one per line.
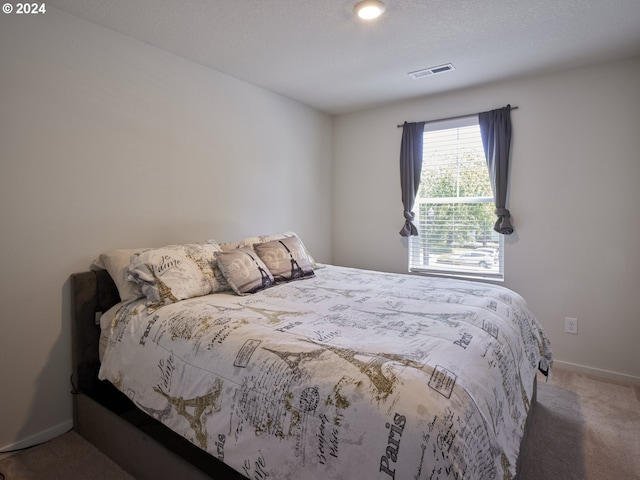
column 575, row 201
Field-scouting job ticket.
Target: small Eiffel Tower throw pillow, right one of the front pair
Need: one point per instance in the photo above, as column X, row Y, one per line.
column 286, row 259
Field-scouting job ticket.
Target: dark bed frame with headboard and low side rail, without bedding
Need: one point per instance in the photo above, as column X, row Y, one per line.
column 109, row 420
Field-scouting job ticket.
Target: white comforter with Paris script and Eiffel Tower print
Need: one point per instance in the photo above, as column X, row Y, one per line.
column 350, row 374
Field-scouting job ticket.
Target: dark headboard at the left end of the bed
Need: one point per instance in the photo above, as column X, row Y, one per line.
column 92, row 292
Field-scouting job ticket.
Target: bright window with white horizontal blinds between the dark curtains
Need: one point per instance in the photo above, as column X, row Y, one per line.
column 455, row 207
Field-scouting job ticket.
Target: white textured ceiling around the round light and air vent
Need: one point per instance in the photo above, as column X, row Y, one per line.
column 319, row 53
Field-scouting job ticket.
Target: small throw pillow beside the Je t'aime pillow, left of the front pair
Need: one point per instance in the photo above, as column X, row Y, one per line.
column 244, row 270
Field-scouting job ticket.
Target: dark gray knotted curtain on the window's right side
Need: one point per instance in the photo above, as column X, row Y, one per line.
column 495, row 129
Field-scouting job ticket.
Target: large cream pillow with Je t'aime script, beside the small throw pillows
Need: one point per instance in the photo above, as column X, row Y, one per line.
column 175, row 272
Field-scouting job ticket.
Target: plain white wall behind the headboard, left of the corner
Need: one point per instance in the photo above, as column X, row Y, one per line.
column 106, row 142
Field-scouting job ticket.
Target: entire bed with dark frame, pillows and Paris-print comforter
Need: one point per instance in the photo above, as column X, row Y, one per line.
column 304, row 371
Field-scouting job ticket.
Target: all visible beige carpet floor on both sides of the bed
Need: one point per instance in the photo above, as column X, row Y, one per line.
column 584, row 428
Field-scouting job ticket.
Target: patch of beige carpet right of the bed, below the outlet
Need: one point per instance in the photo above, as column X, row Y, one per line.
column 585, row 428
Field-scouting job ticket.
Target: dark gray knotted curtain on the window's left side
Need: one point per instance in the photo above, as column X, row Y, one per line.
column 410, row 170
